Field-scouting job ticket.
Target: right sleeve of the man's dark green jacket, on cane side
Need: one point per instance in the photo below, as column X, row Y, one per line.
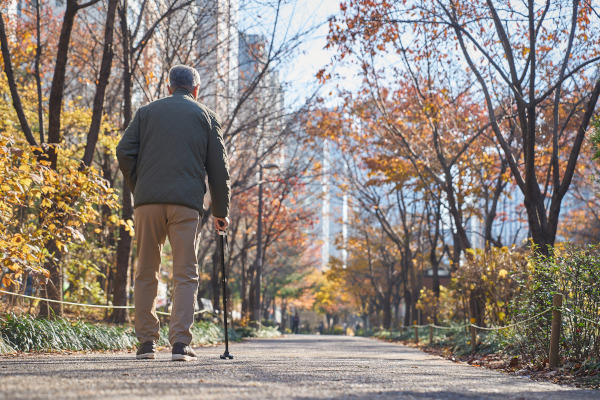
column 217, row 169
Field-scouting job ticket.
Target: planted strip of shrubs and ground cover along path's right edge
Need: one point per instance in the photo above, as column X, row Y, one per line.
column 548, row 328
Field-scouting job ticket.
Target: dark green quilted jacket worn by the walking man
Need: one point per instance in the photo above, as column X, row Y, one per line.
column 167, row 151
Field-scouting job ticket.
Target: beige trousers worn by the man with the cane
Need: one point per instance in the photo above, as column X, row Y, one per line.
column 153, row 223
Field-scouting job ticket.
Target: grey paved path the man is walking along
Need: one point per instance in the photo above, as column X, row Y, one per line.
column 293, row 367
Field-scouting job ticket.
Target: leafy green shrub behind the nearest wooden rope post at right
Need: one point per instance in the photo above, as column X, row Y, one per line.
column 573, row 271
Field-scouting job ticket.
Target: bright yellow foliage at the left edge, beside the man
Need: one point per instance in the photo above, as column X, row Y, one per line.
column 39, row 205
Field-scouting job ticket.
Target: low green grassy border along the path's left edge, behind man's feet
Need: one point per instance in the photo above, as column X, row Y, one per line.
column 27, row 334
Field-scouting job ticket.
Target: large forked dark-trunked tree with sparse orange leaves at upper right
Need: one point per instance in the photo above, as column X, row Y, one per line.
column 514, row 54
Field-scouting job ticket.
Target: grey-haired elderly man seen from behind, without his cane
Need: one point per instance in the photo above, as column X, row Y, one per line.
column 166, row 152
